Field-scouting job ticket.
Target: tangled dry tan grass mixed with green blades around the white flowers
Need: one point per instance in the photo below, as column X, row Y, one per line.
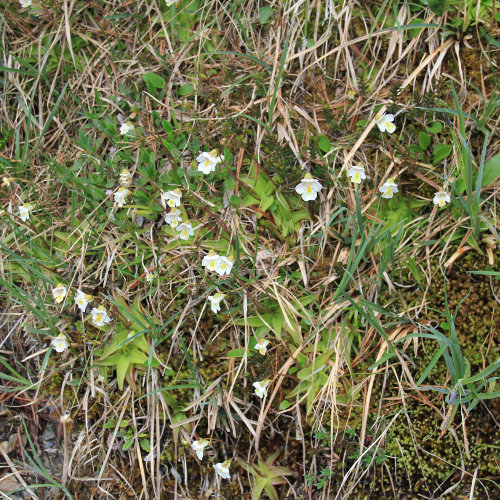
column 251, row 96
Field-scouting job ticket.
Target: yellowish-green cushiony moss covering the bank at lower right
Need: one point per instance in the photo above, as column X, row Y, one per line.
column 424, row 462
